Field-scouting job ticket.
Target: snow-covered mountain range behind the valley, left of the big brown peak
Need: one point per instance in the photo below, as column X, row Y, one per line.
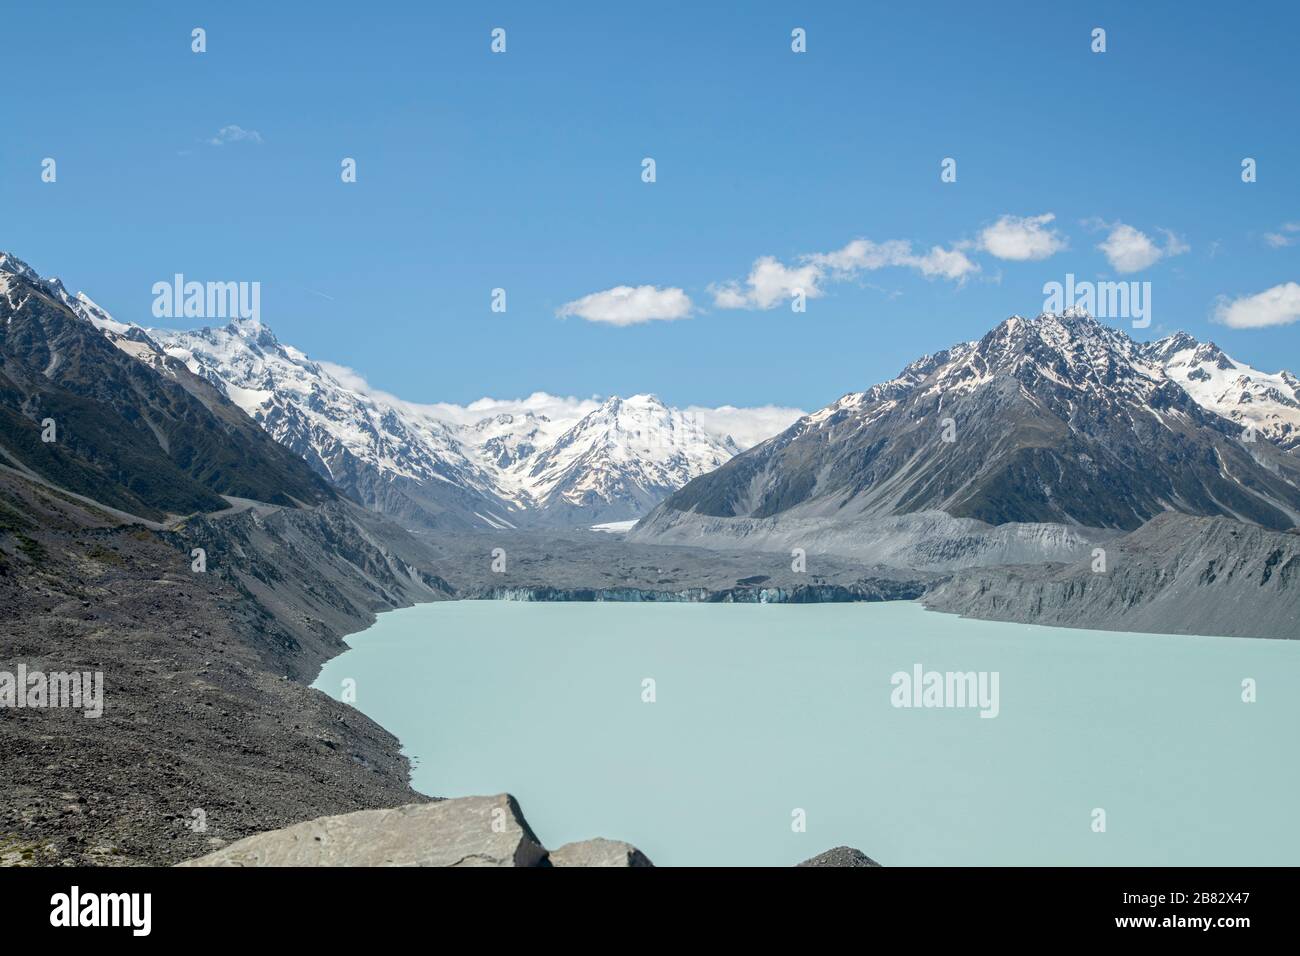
column 501, row 471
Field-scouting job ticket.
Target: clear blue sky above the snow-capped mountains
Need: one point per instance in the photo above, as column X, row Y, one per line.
column 523, row 171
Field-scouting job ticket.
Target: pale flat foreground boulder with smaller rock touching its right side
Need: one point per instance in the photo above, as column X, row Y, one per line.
column 467, row 832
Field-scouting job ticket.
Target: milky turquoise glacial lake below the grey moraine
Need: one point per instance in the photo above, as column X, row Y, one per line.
column 769, row 716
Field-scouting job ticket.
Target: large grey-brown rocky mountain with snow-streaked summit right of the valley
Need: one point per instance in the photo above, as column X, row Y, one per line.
column 1056, row 419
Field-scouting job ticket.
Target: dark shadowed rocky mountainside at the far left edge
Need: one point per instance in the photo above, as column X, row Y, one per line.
column 141, row 436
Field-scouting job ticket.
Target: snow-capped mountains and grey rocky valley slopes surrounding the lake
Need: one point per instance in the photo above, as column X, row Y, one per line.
column 985, row 481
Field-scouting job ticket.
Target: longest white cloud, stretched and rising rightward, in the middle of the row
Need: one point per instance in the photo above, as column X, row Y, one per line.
column 772, row 282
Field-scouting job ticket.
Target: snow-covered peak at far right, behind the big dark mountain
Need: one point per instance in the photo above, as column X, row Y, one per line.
column 1229, row 388
